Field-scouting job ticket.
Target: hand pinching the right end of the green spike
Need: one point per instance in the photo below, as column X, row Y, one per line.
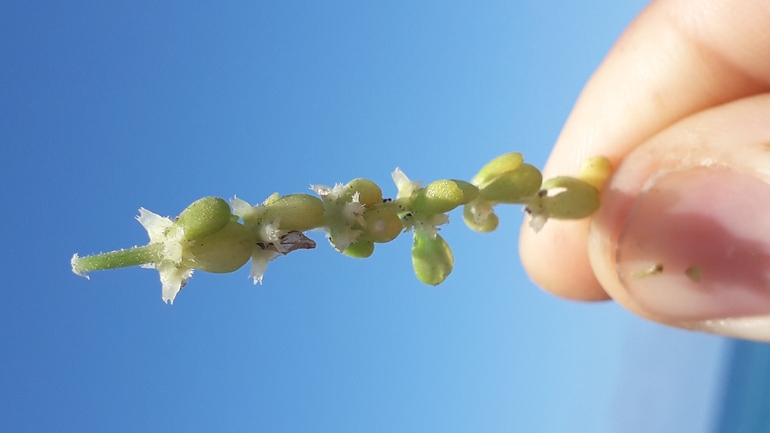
column 681, row 109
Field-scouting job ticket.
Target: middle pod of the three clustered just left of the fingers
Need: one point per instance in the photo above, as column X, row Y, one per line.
column 513, row 186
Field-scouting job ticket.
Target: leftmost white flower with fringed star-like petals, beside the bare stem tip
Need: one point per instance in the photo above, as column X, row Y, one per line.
column 173, row 273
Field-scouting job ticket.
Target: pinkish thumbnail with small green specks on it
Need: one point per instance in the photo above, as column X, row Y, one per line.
column 696, row 245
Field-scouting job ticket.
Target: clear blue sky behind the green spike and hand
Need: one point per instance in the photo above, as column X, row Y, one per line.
column 106, row 107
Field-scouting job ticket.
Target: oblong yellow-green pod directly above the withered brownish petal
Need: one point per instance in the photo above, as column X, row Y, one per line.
column 298, row 212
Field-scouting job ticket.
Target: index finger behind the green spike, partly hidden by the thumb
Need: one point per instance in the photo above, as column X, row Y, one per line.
column 679, row 57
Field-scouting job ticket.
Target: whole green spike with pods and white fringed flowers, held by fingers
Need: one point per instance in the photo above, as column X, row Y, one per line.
column 213, row 236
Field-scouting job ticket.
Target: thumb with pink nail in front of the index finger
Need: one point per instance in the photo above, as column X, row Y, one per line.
column 683, row 235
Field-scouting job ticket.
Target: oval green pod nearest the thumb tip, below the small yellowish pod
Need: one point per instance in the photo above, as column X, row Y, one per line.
column 574, row 198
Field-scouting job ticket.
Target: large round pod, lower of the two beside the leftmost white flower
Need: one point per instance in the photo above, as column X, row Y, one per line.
column 224, row 251
